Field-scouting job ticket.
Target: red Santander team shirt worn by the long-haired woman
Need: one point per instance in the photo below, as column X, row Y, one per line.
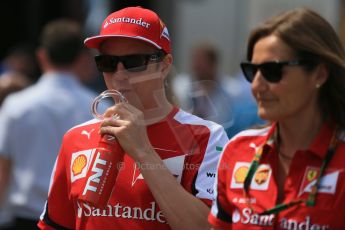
column 231, row 206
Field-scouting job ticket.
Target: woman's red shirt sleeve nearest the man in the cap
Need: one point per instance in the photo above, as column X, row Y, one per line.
column 220, row 215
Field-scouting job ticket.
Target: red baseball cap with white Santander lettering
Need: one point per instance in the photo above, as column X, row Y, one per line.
column 136, row 23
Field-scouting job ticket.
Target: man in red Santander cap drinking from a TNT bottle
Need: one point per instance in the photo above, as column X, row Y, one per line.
column 167, row 176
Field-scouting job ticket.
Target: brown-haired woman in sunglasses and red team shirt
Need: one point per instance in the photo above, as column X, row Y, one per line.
column 290, row 175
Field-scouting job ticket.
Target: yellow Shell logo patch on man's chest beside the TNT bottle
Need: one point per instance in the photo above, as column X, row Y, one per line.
column 80, row 162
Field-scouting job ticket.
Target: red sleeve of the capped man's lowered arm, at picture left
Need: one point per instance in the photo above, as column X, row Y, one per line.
column 58, row 212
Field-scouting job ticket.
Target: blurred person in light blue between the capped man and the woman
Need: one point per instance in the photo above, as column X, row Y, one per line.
column 212, row 95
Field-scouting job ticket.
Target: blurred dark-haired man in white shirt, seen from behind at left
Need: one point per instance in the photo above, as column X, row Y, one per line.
column 33, row 121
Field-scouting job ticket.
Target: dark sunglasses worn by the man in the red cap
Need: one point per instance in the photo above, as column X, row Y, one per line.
column 132, row 63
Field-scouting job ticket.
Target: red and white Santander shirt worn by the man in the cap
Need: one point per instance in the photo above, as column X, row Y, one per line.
column 189, row 146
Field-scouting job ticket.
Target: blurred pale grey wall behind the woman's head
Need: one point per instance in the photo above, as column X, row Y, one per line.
column 227, row 24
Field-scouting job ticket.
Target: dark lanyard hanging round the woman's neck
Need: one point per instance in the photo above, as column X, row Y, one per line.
column 312, row 195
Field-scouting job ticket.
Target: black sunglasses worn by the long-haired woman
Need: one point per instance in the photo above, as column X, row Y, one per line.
column 271, row 71
